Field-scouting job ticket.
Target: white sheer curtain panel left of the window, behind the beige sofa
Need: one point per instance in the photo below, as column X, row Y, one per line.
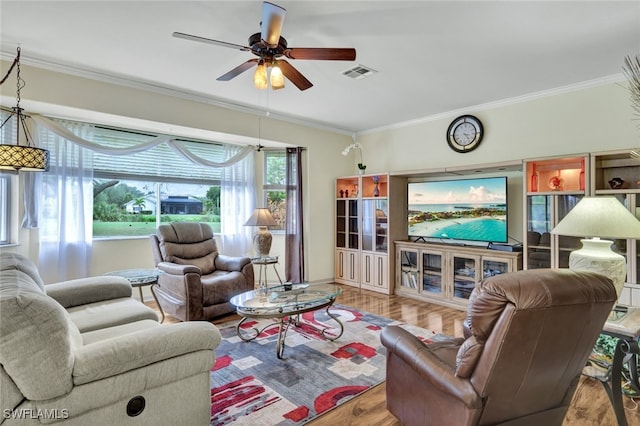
column 65, row 215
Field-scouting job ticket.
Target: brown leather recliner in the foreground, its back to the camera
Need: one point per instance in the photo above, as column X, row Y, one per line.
column 528, row 335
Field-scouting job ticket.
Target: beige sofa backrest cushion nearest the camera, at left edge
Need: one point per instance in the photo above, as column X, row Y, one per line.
column 35, row 327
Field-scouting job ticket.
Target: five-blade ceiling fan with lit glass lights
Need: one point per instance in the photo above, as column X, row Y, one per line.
column 269, row 46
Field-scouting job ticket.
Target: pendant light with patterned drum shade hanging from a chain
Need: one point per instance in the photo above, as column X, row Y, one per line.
column 18, row 157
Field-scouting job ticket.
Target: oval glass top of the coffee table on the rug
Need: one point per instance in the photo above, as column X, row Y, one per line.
column 282, row 300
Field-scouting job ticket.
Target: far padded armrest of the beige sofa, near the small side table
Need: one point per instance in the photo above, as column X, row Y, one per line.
column 88, row 290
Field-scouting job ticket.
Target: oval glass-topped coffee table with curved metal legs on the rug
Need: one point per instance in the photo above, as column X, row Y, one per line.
column 285, row 303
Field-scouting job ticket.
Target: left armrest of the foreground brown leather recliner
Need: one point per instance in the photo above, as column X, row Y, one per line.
column 421, row 358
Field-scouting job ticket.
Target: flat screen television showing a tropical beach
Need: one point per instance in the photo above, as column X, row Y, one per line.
column 462, row 209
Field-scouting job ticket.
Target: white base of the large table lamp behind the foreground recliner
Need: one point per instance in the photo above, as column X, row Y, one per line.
column 596, row 256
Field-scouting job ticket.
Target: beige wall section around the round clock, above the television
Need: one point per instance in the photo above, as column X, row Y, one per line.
column 589, row 120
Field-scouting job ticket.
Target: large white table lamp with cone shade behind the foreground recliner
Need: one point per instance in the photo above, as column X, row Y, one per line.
column 597, row 217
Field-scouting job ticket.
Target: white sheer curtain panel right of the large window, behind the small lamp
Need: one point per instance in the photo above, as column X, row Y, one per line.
column 237, row 200
